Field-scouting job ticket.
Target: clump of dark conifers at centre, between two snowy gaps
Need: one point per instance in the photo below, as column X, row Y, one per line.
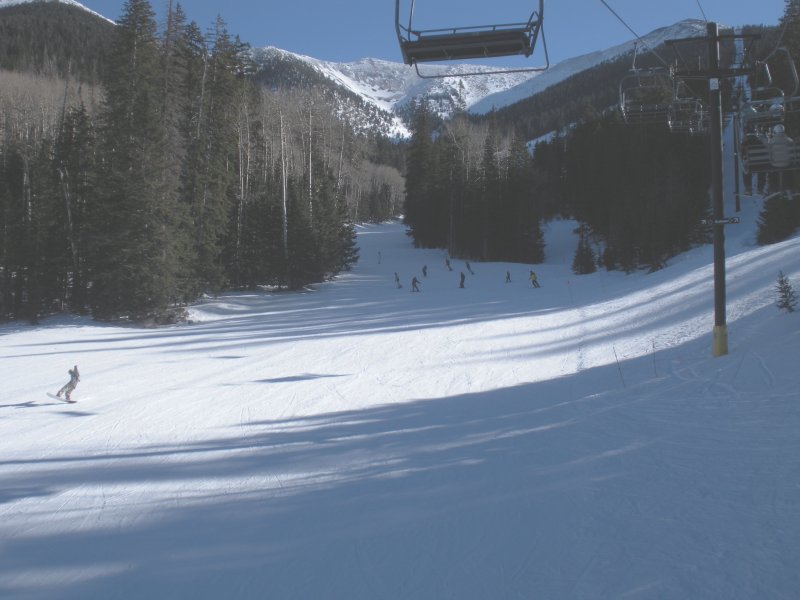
column 486, row 210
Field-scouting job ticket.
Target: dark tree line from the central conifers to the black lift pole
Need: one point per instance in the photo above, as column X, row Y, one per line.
column 639, row 193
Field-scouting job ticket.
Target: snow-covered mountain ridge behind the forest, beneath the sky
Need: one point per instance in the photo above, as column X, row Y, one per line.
column 390, row 87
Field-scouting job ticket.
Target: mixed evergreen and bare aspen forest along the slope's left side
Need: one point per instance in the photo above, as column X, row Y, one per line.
column 176, row 176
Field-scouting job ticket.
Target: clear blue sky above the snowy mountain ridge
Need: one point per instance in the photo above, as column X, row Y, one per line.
column 345, row 31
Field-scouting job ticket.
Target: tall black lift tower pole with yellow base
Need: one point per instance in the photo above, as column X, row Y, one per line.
column 720, row 335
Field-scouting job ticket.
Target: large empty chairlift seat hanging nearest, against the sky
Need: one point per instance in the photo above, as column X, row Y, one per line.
column 465, row 43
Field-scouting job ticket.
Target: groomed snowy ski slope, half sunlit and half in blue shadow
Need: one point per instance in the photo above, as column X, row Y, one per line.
column 360, row 441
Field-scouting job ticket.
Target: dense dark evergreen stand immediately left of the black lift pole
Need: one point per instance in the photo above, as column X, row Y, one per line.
column 641, row 190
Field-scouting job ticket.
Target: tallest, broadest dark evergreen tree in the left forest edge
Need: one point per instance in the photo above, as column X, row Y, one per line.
column 139, row 252
